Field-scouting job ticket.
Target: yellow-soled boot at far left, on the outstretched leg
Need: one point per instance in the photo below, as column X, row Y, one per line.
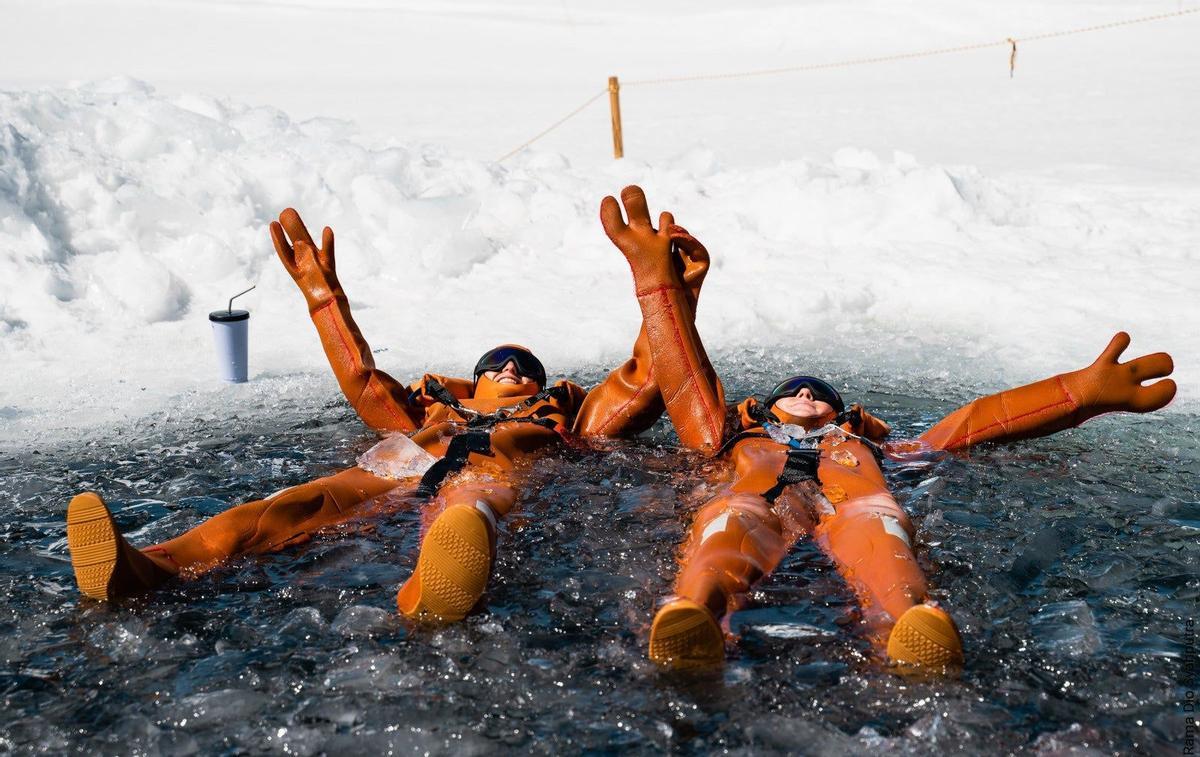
column 107, row 568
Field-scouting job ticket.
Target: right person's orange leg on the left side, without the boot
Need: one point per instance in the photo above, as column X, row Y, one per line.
column 735, row 540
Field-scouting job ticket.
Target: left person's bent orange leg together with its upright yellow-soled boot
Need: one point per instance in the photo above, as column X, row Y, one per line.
column 458, row 549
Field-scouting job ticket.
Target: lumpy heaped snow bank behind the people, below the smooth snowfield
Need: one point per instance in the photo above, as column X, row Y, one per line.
column 127, row 217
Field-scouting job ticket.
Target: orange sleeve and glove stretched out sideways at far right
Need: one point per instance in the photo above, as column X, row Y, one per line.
column 1060, row 402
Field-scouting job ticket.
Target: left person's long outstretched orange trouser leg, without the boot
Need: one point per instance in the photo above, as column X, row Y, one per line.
column 285, row 519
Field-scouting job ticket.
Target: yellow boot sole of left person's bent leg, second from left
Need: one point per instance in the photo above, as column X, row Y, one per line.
column 453, row 569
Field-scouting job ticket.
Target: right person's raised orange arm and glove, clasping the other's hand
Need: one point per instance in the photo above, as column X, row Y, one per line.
column 686, row 378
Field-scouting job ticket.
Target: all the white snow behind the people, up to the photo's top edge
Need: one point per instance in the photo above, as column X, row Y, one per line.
column 932, row 218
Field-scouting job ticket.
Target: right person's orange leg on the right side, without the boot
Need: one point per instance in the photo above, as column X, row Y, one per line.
column 869, row 539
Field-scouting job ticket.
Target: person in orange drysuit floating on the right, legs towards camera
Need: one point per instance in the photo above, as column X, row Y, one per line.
column 806, row 465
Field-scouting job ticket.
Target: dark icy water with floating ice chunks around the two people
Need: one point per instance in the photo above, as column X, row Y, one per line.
column 1070, row 563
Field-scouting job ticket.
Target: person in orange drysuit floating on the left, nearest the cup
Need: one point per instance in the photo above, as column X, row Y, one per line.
column 478, row 430
